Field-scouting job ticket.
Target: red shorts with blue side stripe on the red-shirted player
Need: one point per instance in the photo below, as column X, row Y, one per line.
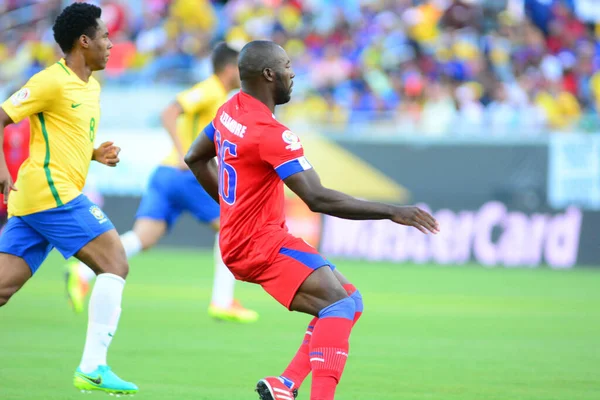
column 283, row 276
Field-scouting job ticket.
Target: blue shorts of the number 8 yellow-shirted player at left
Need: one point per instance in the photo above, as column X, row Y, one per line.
column 68, row 228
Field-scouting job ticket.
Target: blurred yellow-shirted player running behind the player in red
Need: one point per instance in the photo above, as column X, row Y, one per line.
column 173, row 188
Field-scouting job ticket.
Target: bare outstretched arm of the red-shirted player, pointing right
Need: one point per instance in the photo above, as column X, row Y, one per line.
column 307, row 185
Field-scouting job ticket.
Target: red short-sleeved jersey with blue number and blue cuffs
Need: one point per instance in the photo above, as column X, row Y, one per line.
column 255, row 153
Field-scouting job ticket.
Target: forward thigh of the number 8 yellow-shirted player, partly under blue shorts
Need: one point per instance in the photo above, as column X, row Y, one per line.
column 79, row 225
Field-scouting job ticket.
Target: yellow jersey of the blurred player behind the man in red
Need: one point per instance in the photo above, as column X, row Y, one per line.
column 200, row 105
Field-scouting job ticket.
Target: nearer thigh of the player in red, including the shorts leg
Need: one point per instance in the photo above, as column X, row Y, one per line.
column 301, row 279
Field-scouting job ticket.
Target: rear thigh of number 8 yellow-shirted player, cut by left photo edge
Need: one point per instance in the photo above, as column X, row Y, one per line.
column 22, row 251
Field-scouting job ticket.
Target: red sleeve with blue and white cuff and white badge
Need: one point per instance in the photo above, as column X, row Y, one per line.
column 281, row 148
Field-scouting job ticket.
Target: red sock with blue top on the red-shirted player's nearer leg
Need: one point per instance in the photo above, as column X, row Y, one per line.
column 328, row 351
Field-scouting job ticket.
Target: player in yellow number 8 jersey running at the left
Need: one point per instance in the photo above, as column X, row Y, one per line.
column 45, row 205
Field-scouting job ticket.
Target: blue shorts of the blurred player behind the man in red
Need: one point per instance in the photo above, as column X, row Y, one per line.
column 172, row 191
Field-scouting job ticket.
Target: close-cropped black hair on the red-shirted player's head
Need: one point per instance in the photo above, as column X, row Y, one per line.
column 255, row 57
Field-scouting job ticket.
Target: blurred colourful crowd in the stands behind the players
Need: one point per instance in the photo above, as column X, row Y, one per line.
column 429, row 67
